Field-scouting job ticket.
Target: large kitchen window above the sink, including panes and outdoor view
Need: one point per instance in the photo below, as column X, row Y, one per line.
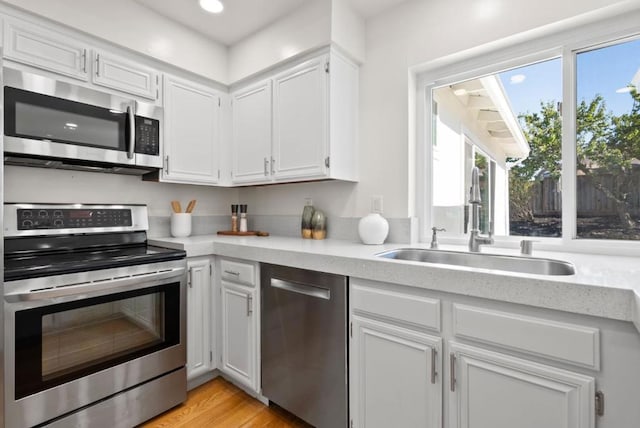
column 554, row 133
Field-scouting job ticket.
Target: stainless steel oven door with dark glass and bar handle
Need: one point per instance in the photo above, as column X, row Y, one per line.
column 71, row 345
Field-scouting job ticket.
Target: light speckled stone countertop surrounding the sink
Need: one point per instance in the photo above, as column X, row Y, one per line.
column 603, row 286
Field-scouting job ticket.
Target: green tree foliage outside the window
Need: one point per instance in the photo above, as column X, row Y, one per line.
column 606, row 148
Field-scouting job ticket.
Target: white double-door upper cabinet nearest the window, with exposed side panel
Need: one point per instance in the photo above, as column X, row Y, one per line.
column 299, row 124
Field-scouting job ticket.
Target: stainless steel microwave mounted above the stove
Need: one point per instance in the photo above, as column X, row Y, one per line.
column 52, row 123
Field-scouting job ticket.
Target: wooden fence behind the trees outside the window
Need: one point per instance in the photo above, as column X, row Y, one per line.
column 591, row 201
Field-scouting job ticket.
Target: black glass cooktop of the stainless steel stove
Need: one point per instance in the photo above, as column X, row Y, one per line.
column 38, row 256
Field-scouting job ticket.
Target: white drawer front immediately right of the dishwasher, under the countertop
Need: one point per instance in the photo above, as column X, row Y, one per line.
column 392, row 305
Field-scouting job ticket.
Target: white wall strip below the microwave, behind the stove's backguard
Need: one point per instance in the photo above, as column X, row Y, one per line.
column 24, row 184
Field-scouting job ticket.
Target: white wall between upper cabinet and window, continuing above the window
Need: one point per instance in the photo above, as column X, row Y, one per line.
column 413, row 33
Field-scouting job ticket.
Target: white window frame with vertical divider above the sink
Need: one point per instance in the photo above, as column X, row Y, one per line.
column 519, row 50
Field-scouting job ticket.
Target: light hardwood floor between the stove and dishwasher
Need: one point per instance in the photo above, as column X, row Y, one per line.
column 220, row 404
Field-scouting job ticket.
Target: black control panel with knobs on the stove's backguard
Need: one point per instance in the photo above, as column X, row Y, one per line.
column 72, row 218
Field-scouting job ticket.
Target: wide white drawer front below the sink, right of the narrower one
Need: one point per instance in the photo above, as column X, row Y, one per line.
column 567, row 343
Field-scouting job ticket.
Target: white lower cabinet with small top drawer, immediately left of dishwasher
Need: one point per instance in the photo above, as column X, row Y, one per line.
column 239, row 315
